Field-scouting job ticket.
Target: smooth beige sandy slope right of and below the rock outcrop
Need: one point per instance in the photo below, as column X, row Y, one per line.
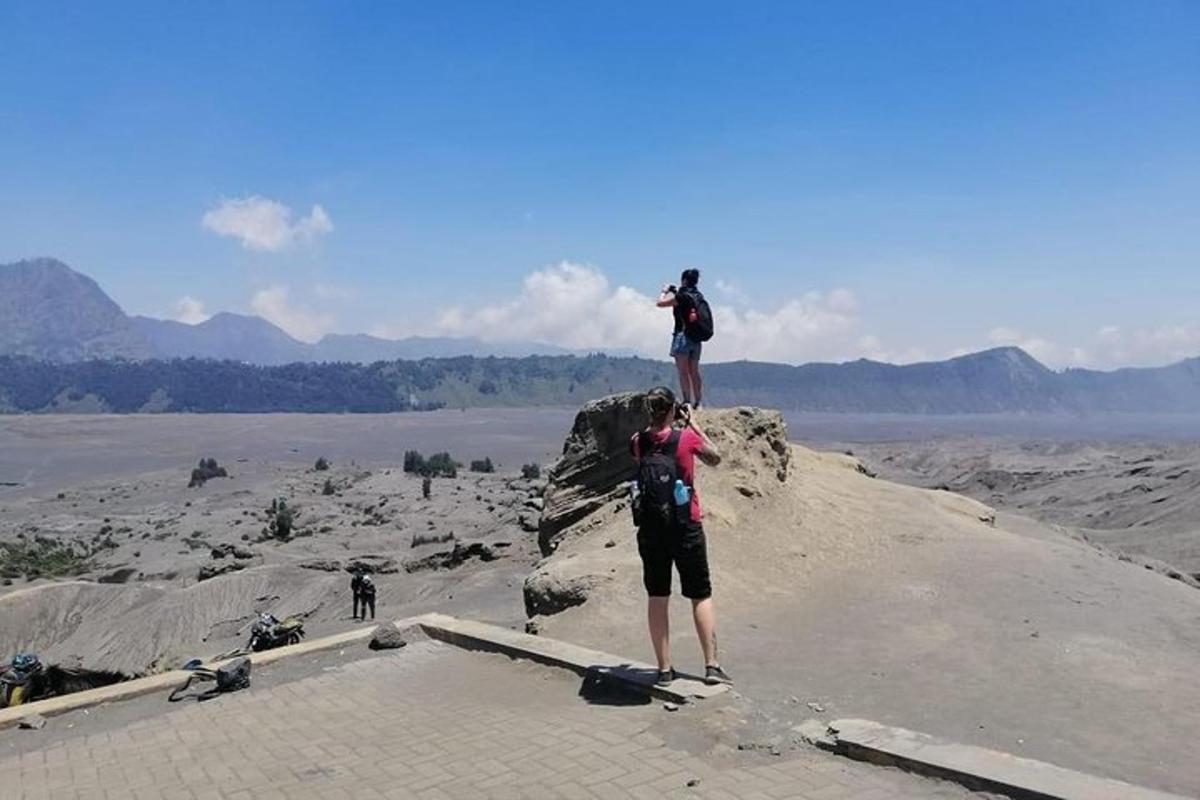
column 919, row 609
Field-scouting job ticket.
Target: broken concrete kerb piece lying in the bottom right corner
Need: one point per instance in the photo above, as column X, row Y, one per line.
column 976, row 768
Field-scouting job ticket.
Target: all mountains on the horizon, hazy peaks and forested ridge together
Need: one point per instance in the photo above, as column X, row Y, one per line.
column 68, row 347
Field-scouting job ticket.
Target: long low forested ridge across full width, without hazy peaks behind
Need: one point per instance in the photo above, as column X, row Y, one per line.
column 1001, row 381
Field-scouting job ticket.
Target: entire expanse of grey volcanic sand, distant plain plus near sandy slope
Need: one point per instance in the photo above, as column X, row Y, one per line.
column 839, row 596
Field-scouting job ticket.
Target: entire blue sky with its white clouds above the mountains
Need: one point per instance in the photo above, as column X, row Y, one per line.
column 881, row 179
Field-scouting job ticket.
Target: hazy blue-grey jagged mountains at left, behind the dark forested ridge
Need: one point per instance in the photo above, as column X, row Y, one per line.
column 53, row 314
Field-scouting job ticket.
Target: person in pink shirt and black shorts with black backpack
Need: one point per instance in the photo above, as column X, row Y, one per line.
column 670, row 531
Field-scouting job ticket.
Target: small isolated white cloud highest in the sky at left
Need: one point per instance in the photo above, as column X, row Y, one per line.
column 265, row 225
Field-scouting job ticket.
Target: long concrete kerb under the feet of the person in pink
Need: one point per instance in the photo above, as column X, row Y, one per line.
column 556, row 653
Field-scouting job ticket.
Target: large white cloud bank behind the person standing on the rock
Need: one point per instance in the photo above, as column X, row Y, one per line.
column 575, row 306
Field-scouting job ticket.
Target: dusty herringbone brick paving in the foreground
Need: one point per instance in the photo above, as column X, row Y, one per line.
column 431, row 723
